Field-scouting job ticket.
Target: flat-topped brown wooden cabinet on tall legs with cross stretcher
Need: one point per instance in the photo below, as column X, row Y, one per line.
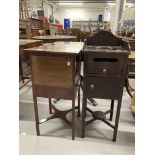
column 55, row 71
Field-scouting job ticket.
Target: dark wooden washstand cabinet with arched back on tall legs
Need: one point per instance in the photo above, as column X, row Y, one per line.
column 105, row 73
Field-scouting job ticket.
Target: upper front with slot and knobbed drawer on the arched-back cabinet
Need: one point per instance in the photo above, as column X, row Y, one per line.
column 106, row 64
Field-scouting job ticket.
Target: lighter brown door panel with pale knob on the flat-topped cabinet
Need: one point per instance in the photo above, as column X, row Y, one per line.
column 52, row 71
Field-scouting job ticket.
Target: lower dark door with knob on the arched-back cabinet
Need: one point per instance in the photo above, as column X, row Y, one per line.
column 101, row 87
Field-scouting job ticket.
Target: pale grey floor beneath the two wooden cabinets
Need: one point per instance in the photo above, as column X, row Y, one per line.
column 55, row 136
